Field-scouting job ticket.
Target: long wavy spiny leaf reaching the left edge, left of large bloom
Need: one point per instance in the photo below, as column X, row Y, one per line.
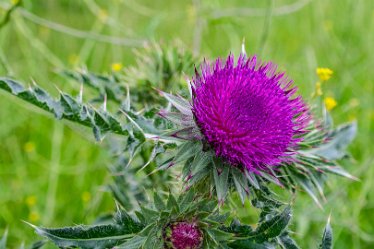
column 67, row 107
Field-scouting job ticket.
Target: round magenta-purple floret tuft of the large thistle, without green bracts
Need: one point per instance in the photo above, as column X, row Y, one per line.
column 248, row 113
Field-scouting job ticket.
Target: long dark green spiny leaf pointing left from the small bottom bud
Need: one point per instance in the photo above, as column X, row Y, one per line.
column 87, row 237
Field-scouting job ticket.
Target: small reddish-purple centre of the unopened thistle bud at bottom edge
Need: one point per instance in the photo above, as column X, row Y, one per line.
column 183, row 235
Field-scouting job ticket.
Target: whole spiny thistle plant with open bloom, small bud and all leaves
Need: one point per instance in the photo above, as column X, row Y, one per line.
column 243, row 128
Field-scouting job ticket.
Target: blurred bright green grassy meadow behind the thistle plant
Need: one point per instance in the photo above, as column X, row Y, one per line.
column 52, row 175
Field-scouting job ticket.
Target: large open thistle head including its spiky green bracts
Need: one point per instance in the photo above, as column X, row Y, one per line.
column 246, row 126
